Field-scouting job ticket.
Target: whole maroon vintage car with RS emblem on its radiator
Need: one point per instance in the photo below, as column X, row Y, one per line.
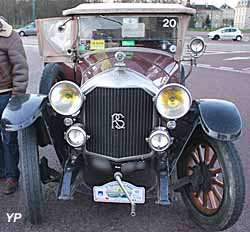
column 113, row 103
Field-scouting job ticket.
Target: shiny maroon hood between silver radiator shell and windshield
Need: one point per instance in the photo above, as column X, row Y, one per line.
column 152, row 64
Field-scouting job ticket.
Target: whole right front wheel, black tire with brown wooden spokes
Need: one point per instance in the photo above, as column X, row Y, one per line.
column 216, row 199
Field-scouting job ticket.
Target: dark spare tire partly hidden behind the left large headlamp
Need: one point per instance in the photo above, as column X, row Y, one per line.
column 52, row 73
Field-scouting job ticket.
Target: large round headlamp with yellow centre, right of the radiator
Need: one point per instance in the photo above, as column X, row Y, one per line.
column 173, row 101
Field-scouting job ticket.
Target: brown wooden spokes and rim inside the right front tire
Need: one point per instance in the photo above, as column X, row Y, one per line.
column 208, row 194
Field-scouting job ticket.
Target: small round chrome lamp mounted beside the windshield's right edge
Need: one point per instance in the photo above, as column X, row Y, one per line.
column 197, row 47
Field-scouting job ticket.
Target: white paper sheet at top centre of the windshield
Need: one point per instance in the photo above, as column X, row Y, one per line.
column 134, row 31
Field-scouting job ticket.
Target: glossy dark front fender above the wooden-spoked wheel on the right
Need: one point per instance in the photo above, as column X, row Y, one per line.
column 220, row 119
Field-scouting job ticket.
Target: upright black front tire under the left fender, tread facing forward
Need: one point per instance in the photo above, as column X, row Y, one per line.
column 32, row 187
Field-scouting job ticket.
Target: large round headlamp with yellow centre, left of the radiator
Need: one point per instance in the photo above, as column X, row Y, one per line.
column 66, row 98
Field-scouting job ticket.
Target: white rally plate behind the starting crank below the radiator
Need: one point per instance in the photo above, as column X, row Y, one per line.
column 112, row 192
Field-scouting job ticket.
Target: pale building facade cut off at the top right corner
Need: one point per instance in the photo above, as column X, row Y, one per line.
column 242, row 15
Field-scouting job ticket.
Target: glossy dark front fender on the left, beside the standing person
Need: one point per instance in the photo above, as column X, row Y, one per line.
column 22, row 111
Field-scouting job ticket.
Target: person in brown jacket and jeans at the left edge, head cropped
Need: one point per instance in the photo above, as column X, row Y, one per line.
column 13, row 81
